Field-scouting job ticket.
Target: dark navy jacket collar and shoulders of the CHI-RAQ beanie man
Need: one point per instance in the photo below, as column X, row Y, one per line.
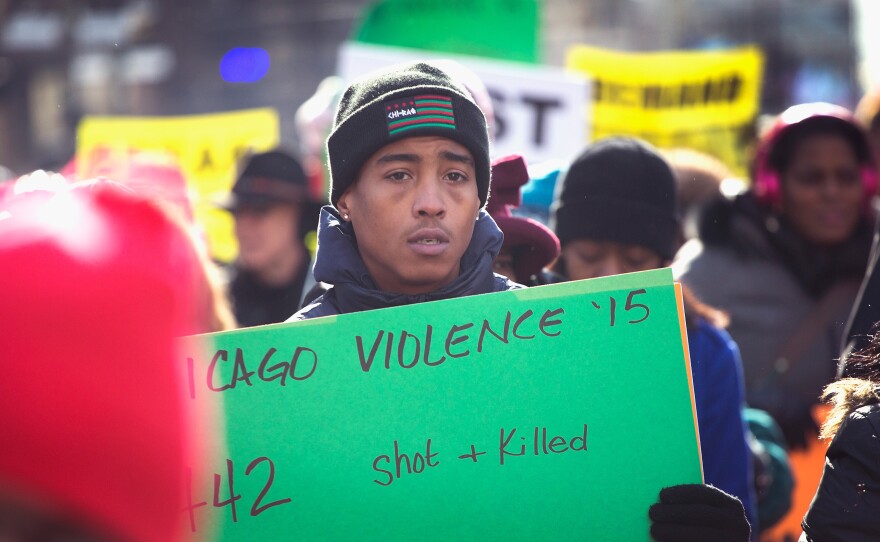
column 339, row 264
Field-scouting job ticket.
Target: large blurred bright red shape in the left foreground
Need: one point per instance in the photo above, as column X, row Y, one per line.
column 96, row 285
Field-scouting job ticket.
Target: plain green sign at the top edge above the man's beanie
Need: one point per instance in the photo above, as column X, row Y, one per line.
column 488, row 28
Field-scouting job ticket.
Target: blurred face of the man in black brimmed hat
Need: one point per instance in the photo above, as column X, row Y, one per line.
column 266, row 234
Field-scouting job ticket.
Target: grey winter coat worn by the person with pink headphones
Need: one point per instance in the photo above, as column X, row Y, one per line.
column 749, row 263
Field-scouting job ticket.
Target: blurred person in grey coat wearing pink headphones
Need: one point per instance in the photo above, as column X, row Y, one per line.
column 785, row 258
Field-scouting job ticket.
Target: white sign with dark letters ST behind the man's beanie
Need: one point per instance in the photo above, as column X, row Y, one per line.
column 540, row 111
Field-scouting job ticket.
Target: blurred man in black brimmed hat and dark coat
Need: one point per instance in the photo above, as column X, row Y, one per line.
column 273, row 210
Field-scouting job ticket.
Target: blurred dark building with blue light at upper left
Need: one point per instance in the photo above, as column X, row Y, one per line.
column 62, row 59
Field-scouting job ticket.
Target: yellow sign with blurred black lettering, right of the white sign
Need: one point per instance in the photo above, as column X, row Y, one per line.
column 704, row 100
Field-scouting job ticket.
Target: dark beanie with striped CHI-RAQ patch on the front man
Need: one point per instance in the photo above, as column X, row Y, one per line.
column 402, row 101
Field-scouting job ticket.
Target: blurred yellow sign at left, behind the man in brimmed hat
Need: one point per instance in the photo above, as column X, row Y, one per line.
column 206, row 147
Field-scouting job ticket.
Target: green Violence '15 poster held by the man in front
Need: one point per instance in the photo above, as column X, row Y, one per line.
column 544, row 413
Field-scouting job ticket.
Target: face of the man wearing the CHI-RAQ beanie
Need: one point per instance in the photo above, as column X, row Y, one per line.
column 413, row 208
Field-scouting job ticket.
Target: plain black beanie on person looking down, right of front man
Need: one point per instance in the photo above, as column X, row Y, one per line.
column 621, row 190
